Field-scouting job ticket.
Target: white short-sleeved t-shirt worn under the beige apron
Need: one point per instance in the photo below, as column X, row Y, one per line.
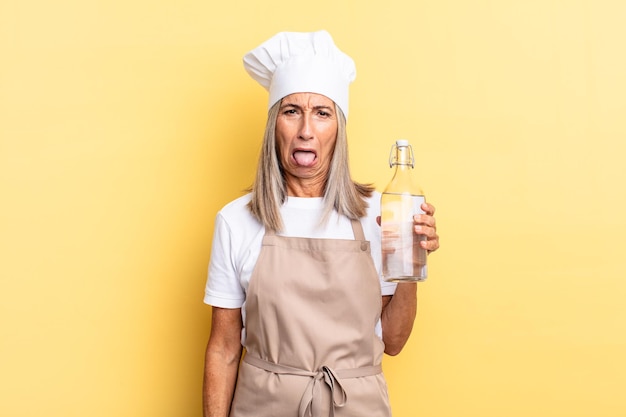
column 238, row 236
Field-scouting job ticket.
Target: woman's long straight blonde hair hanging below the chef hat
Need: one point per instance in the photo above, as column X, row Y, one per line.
column 269, row 190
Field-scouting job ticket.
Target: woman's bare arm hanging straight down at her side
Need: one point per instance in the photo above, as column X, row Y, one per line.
column 222, row 361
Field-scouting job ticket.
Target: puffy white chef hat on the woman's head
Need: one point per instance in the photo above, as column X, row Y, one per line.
column 302, row 62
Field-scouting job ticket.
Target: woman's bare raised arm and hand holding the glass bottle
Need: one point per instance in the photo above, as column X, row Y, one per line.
column 399, row 310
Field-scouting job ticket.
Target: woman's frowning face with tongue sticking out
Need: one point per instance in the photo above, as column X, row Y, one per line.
column 306, row 132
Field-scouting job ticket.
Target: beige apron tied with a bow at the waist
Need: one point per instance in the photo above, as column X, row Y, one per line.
column 311, row 309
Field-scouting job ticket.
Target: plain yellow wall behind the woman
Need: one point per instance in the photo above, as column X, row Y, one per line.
column 126, row 125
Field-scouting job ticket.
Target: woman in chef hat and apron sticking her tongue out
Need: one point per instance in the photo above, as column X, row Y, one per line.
column 294, row 274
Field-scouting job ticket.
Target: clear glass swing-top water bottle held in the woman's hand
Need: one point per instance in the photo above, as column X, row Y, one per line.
column 404, row 260
